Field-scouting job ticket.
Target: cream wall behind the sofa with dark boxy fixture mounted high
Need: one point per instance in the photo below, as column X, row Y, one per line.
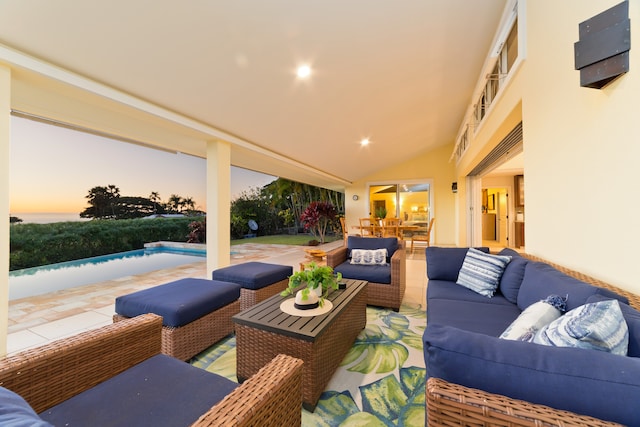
column 581, row 148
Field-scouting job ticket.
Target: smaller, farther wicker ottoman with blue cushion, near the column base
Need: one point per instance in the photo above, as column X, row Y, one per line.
column 259, row 280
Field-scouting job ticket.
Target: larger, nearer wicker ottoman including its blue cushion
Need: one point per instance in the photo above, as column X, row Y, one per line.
column 196, row 313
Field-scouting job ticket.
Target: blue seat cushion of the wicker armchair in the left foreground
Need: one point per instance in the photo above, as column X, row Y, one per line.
column 161, row 391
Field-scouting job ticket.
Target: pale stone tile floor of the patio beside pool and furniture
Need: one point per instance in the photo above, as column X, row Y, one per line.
column 40, row 319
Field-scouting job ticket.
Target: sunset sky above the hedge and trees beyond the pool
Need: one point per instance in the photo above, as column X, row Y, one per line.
column 53, row 169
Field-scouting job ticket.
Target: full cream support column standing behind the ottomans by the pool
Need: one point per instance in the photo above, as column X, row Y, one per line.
column 218, row 205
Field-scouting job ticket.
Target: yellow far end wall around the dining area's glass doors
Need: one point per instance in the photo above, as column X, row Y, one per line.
column 433, row 165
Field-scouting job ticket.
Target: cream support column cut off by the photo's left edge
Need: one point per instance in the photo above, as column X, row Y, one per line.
column 5, row 137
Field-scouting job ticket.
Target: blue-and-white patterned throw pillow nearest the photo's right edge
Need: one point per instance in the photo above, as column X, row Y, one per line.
column 596, row 326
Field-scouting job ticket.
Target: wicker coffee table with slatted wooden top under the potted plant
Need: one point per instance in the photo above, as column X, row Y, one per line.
column 322, row 341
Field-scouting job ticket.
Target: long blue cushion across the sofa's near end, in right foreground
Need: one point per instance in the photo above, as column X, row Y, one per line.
column 560, row 377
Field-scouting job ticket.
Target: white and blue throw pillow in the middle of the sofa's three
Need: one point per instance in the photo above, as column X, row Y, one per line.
column 534, row 317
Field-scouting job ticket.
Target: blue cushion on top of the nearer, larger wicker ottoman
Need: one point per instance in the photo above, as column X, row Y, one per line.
column 179, row 302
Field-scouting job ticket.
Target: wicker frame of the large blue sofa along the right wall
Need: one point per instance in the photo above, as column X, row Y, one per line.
column 451, row 404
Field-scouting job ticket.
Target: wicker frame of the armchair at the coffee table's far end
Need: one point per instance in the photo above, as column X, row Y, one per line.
column 381, row 294
